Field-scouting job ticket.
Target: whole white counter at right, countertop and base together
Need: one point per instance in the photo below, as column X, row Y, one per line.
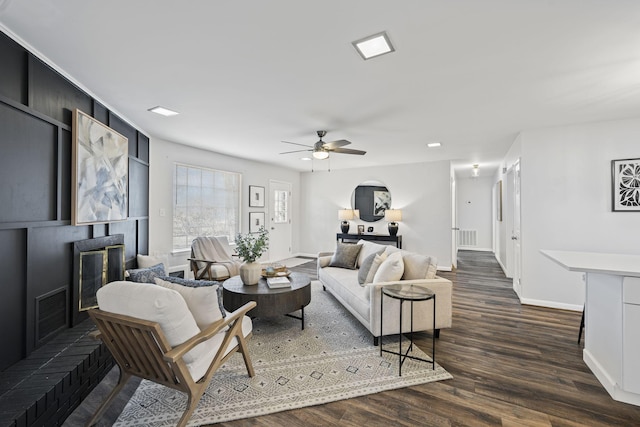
column 612, row 318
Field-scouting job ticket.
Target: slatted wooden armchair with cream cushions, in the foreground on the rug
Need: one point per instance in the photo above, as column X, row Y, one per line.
column 142, row 348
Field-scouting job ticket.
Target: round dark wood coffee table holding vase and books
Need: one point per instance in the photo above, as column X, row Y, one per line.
column 270, row 302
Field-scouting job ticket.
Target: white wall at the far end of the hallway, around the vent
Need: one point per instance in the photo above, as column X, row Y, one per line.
column 475, row 209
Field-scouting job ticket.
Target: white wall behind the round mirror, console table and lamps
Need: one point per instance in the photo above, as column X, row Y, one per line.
column 421, row 190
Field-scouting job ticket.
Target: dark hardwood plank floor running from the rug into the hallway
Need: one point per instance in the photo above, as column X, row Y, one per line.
column 512, row 365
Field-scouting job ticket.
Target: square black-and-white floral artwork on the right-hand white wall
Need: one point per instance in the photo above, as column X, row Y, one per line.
column 625, row 180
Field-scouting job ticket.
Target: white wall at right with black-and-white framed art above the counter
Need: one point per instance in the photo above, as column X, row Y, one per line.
column 566, row 204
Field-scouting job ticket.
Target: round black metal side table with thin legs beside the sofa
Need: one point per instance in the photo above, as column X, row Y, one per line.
column 409, row 293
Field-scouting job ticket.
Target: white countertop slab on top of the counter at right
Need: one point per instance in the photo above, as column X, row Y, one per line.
column 591, row 262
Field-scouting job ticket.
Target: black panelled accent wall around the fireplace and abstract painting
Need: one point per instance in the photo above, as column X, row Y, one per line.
column 36, row 235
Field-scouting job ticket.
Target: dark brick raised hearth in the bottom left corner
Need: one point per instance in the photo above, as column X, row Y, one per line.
column 45, row 388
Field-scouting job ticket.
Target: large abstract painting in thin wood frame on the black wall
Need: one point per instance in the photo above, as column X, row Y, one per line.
column 100, row 161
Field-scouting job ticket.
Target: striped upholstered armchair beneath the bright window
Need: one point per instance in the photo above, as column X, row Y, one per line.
column 212, row 258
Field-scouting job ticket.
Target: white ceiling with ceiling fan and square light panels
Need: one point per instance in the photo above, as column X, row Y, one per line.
column 247, row 74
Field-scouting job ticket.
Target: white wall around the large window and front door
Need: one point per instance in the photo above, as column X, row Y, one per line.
column 163, row 156
